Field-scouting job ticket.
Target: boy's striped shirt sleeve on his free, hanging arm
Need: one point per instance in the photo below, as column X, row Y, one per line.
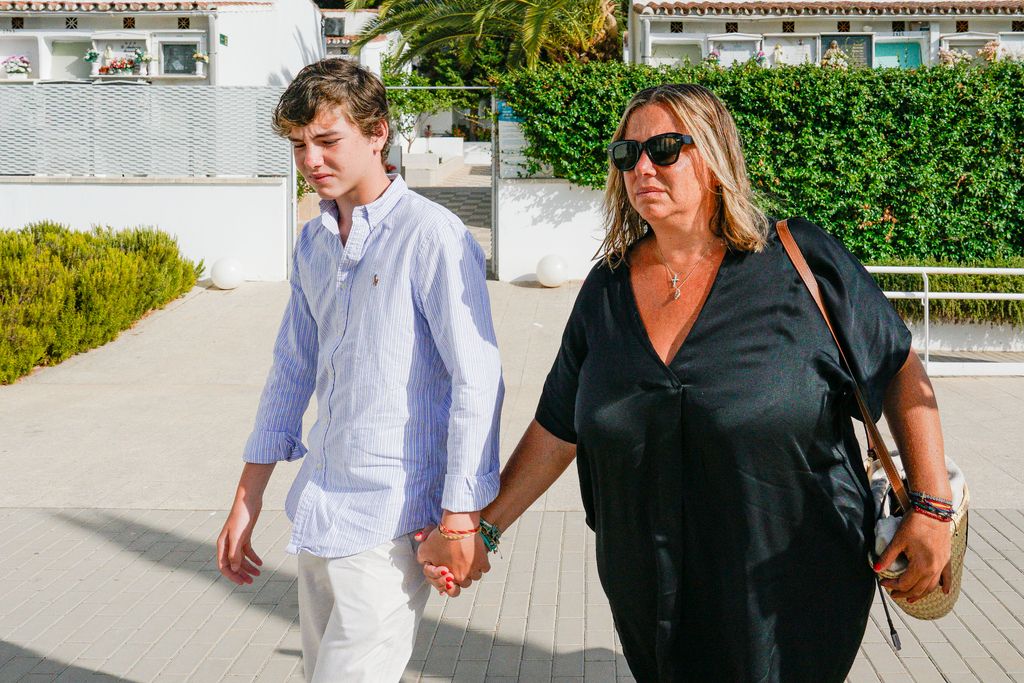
column 278, row 435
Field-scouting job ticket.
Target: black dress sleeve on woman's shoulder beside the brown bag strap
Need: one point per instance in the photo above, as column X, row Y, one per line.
column 876, row 340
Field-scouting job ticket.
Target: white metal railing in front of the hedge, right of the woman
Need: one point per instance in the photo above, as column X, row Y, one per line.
column 926, row 296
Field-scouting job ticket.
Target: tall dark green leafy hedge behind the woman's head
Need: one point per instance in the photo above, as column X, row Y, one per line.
column 915, row 165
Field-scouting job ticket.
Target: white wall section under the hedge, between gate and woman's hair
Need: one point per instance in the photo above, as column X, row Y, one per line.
column 538, row 218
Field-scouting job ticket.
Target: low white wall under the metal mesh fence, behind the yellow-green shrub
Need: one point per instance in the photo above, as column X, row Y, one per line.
column 212, row 219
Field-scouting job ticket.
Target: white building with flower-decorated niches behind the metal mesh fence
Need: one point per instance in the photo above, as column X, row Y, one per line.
column 252, row 42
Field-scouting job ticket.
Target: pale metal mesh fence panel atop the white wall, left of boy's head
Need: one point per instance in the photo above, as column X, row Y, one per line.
column 122, row 131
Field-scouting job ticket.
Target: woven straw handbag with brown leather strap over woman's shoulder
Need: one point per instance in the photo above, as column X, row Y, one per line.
column 888, row 480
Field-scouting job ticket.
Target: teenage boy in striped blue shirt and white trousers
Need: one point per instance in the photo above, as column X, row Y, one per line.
column 390, row 322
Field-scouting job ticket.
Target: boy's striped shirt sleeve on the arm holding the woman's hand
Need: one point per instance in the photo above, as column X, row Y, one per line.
column 453, row 295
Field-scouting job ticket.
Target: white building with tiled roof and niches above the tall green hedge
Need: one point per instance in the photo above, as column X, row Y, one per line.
column 875, row 33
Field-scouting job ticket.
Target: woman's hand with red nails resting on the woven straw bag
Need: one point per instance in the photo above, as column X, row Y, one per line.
column 926, row 543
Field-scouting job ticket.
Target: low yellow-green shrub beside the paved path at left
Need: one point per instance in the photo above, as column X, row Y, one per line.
column 64, row 292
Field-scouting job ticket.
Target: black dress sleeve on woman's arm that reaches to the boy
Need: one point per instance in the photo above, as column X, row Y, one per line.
column 557, row 411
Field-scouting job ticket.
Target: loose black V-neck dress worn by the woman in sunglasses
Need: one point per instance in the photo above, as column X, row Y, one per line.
column 727, row 489
